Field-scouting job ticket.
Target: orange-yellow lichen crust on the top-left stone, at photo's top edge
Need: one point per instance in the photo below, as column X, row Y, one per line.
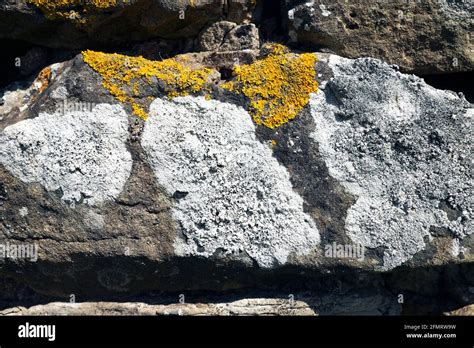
column 73, row 10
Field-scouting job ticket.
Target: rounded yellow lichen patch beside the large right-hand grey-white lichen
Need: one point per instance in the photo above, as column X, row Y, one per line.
column 277, row 86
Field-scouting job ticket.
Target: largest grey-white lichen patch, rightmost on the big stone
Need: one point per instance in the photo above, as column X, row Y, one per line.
column 403, row 149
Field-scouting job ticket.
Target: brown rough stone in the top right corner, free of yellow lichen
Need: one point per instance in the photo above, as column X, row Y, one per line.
column 420, row 36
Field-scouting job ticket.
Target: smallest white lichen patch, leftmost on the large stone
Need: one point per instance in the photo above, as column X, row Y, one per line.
column 81, row 154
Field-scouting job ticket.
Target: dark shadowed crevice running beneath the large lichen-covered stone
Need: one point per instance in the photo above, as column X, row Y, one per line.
column 343, row 290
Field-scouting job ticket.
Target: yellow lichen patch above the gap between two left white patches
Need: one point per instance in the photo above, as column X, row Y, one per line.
column 122, row 75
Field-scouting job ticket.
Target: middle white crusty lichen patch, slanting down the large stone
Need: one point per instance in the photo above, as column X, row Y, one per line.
column 233, row 196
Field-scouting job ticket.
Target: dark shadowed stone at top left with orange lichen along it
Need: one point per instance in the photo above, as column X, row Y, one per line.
column 71, row 24
